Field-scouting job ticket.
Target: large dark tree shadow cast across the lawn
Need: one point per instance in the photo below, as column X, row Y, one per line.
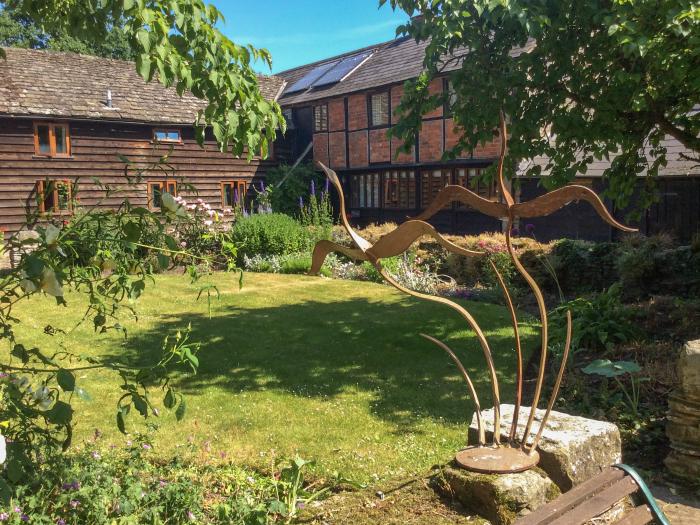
column 318, row 349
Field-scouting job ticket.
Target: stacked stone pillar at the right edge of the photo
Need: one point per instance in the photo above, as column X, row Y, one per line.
column 683, row 422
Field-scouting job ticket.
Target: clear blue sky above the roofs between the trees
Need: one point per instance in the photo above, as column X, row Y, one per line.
column 297, row 32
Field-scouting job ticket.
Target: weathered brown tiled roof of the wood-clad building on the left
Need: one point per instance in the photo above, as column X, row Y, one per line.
column 56, row 84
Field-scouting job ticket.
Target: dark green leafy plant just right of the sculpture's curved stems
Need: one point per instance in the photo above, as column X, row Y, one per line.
column 599, row 322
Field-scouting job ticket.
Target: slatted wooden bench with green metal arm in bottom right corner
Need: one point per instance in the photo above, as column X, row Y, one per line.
column 598, row 495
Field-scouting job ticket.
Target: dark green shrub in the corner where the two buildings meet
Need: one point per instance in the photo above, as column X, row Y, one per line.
column 289, row 185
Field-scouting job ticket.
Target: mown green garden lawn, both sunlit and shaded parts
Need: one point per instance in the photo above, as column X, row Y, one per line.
column 331, row 370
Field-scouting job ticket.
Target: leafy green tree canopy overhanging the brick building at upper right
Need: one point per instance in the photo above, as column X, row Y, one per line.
column 605, row 79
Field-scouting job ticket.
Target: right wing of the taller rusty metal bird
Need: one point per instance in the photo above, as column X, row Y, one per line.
column 554, row 200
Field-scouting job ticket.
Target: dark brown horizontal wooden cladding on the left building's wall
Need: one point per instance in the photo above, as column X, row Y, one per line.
column 95, row 150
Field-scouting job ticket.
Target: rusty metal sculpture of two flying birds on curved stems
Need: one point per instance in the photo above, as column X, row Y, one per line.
column 520, row 452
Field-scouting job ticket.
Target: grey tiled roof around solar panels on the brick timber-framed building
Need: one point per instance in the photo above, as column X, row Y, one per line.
column 392, row 62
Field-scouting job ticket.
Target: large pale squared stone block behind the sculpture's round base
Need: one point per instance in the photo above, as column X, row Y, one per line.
column 572, row 449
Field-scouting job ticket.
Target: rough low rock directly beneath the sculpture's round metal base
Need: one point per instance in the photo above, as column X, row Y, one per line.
column 501, row 498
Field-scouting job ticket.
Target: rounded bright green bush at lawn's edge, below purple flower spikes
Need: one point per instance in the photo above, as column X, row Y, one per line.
column 271, row 234
